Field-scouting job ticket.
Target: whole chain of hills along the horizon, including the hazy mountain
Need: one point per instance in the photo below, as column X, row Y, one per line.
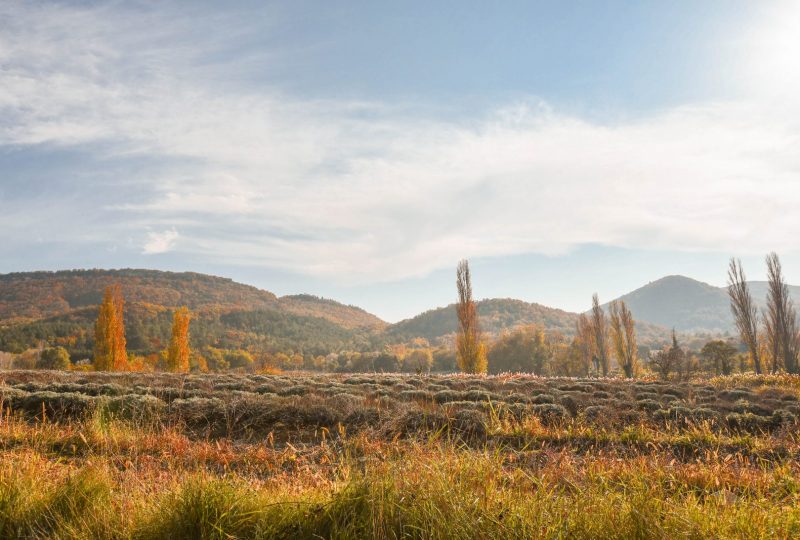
column 60, row 303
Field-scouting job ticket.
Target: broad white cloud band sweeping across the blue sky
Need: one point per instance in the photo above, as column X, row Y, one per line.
column 365, row 191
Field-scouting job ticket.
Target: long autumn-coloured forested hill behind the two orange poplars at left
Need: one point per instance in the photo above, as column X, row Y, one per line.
column 60, row 307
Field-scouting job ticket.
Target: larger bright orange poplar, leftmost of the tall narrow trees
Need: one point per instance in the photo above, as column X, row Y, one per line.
column 110, row 352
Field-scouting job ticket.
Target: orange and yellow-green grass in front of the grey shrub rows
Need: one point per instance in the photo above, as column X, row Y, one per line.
column 114, row 476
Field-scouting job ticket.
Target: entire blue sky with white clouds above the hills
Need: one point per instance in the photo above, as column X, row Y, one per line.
column 359, row 150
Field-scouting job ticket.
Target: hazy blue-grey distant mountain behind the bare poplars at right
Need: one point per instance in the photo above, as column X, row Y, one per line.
column 689, row 305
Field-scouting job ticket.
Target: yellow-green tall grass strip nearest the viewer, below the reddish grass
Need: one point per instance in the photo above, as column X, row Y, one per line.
column 424, row 490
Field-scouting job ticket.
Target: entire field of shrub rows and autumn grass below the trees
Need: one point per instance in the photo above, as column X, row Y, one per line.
column 94, row 455
